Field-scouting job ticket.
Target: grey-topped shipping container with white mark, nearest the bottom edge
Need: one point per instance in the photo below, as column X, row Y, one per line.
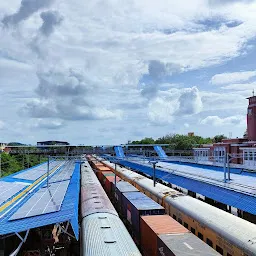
column 183, row 245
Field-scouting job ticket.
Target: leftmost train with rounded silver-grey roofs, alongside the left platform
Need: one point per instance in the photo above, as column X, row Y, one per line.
column 102, row 231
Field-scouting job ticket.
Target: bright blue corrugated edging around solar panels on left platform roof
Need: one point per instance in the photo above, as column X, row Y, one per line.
column 68, row 211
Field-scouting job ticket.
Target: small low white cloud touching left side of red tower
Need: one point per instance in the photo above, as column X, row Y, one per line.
column 218, row 121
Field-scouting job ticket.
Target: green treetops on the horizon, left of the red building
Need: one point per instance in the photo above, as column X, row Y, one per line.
column 181, row 142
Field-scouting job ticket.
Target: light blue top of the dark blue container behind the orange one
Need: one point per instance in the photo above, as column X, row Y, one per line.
column 141, row 201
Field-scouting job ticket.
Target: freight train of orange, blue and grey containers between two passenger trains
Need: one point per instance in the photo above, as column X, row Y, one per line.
column 155, row 233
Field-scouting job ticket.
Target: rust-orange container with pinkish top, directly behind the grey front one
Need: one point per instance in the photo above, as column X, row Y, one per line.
column 154, row 225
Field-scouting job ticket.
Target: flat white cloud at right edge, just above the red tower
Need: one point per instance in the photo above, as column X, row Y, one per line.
column 234, row 77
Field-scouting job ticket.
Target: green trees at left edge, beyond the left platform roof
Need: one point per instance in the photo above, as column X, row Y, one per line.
column 14, row 163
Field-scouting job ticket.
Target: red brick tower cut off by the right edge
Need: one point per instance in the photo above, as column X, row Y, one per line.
column 251, row 118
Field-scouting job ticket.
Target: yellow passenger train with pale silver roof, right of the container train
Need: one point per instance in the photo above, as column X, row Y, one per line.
column 227, row 234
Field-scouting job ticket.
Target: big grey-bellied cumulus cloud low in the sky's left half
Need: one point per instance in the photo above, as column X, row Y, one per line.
column 66, row 97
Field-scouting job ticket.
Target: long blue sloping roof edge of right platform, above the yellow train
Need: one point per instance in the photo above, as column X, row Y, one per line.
column 233, row 198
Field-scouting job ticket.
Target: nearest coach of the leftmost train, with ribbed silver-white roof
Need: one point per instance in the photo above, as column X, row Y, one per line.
column 106, row 235
